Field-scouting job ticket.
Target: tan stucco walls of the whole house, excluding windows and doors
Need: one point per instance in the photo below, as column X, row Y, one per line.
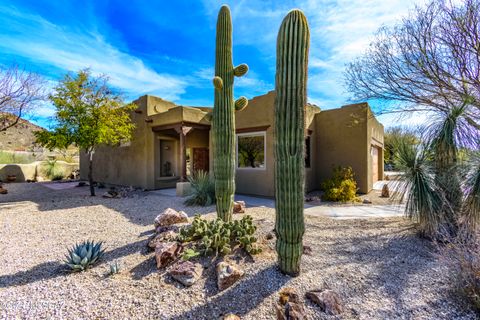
column 338, row 137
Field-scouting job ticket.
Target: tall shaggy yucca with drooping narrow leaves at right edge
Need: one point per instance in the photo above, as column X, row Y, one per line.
column 433, row 172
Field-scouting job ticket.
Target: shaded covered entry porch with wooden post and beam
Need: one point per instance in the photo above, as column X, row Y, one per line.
column 180, row 149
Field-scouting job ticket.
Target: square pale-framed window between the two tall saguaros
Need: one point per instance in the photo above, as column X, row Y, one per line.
column 251, row 150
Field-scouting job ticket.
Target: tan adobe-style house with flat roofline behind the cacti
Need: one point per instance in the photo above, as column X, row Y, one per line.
column 170, row 142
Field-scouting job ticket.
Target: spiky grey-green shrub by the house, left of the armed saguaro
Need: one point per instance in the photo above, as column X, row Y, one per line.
column 203, row 190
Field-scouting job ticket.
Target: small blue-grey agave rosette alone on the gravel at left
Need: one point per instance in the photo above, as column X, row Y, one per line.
column 84, row 255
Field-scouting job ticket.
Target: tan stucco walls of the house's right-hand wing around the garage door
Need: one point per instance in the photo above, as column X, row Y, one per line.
column 344, row 138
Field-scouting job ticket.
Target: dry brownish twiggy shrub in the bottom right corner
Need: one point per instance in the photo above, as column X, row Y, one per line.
column 463, row 260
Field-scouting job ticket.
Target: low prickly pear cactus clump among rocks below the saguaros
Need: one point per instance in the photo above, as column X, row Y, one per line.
column 219, row 237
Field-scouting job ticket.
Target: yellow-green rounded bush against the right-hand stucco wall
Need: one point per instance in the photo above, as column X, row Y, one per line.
column 341, row 187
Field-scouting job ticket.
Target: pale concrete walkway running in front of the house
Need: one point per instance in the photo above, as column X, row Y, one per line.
column 337, row 211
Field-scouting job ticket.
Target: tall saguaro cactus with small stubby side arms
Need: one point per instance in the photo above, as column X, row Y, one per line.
column 224, row 116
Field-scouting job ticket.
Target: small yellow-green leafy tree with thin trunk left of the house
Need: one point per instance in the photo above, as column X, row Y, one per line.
column 88, row 114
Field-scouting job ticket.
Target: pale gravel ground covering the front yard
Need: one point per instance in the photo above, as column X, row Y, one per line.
column 378, row 266
